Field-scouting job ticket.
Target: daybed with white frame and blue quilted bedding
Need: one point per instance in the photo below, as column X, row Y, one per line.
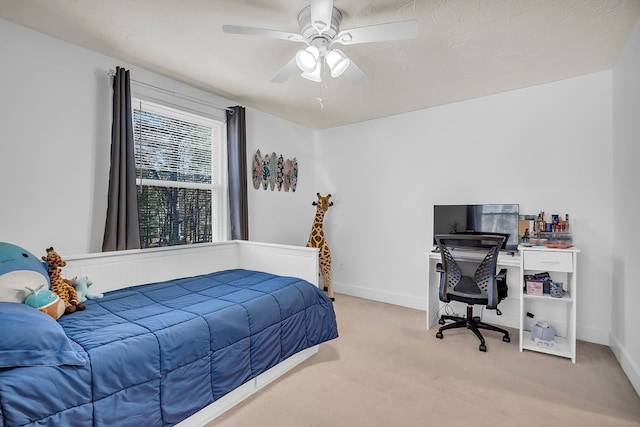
column 181, row 335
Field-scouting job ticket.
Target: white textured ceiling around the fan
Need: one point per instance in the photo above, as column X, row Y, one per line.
column 464, row 49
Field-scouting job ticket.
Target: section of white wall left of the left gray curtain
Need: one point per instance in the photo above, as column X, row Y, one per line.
column 51, row 146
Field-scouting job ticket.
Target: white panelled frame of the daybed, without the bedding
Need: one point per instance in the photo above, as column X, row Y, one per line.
column 115, row 270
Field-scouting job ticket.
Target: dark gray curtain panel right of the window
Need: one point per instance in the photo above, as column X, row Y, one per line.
column 237, row 155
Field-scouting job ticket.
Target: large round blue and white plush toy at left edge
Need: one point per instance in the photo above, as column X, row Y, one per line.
column 20, row 269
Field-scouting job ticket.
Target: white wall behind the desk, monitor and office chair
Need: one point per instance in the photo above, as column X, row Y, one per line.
column 547, row 148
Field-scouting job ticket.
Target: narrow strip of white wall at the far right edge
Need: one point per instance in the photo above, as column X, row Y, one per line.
column 625, row 337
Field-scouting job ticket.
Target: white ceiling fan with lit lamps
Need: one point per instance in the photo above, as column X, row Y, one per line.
column 319, row 25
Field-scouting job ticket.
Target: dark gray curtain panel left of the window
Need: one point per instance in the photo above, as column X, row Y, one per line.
column 122, row 230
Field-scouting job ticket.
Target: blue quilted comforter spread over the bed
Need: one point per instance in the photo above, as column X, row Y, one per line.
column 157, row 353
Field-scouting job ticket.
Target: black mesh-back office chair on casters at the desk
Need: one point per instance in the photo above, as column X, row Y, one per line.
column 470, row 282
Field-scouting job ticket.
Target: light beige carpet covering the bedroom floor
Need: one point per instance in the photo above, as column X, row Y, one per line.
column 386, row 369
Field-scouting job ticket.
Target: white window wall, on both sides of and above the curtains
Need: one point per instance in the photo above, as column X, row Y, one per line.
column 55, row 137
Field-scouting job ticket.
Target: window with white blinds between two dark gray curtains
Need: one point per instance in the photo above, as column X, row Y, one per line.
column 181, row 185
